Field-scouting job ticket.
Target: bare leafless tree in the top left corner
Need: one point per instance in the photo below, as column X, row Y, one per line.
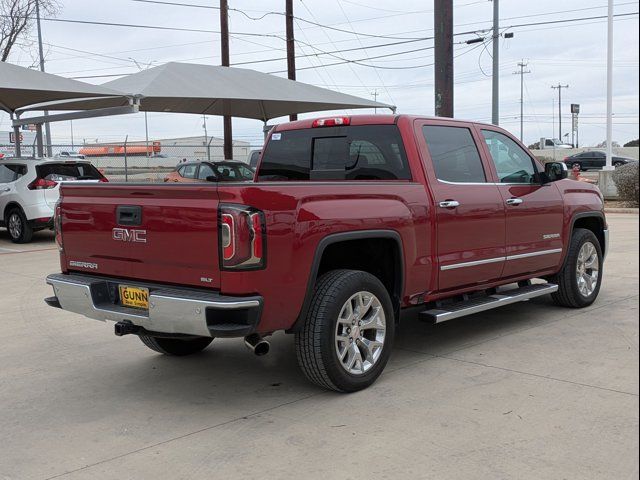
column 17, row 18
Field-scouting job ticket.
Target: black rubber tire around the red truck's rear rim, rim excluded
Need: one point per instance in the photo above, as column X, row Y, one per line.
column 315, row 342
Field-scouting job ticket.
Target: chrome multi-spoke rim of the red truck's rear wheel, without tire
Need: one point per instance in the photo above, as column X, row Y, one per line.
column 360, row 333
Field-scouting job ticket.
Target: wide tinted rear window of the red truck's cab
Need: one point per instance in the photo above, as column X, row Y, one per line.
column 365, row 152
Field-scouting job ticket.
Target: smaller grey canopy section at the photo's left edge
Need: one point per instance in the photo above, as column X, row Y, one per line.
column 21, row 87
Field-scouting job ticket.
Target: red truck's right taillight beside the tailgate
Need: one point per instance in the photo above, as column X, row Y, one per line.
column 242, row 237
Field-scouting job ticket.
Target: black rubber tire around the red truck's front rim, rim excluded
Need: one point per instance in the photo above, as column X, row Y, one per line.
column 568, row 294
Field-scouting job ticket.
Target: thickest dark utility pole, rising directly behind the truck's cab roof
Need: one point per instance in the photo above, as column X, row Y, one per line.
column 443, row 44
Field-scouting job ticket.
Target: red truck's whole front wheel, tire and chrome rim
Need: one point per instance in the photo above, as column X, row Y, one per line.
column 580, row 279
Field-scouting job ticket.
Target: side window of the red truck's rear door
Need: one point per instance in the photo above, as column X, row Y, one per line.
column 454, row 154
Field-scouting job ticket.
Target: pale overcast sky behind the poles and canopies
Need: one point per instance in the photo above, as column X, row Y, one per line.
column 566, row 53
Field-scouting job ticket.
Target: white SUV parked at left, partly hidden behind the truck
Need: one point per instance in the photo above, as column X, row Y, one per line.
column 30, row 188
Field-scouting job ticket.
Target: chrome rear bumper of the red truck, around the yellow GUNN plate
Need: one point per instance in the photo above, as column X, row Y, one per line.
column 179, row 311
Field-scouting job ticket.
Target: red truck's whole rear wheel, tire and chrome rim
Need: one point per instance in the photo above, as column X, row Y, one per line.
column 347, row 337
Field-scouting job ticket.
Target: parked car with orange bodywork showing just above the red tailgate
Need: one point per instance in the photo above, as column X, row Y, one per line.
column 227, row 171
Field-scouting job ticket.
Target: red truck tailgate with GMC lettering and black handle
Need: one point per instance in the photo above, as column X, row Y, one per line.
column 164, row 233
